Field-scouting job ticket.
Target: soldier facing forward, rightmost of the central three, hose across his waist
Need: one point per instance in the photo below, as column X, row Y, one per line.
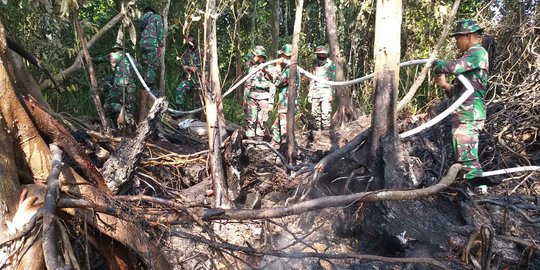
column 320, row 95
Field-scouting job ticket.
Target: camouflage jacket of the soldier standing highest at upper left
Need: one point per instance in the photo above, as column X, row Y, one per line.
column 151, row 27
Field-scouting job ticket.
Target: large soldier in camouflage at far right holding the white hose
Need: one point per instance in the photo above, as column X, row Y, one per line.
column 468, row 120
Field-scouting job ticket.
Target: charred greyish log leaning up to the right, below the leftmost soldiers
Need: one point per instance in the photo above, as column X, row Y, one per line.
column 119, row 168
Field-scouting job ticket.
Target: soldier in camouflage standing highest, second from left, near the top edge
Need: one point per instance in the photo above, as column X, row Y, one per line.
column 151, row 45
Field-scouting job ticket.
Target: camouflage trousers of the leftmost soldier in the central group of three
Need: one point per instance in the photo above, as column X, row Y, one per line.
column 256, row 115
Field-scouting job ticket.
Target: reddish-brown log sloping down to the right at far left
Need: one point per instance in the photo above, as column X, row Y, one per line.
column 55, row 132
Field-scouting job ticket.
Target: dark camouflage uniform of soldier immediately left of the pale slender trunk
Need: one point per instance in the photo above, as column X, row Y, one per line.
column 191, row 58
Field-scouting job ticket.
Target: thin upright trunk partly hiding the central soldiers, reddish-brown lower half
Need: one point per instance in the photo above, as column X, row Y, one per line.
column 291, row 98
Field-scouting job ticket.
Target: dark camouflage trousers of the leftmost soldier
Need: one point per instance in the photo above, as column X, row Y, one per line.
column 114, row 102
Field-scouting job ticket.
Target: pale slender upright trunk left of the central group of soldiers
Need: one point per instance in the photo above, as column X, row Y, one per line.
column 214, row 111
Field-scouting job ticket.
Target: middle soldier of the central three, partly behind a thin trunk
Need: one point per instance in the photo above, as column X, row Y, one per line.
column 281, row 76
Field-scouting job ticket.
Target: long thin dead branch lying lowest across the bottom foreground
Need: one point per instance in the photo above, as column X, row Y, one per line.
column 286, row 254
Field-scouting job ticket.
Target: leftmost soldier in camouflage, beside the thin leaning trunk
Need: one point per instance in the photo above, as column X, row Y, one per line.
column 123, row 87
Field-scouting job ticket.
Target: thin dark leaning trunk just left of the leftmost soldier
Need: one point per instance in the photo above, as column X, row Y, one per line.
column 93, row 81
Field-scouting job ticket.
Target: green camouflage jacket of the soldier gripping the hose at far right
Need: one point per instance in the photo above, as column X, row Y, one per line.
column 473, row 65
